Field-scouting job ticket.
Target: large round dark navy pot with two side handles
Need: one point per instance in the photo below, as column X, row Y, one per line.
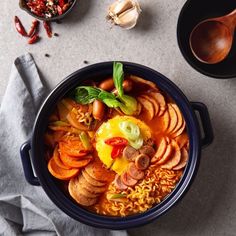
column 50, row 184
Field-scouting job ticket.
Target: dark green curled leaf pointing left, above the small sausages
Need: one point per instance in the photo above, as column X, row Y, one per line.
column 86, row 94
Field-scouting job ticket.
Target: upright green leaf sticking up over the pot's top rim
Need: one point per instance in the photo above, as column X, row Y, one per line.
column 118, row 77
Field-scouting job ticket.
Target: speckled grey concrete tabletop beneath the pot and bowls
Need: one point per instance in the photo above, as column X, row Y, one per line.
column 209, row 208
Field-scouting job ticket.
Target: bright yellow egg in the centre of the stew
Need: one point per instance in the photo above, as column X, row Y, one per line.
column 111, row 129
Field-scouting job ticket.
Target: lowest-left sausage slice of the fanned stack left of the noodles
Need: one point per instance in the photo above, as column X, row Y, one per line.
column 79, row 197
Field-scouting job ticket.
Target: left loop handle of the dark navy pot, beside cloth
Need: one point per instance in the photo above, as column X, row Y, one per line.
column 27, row 166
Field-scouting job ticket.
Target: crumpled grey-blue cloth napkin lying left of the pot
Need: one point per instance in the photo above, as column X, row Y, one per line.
column 26, row 209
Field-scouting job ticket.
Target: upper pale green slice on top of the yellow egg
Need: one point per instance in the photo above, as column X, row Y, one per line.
column 129, row 129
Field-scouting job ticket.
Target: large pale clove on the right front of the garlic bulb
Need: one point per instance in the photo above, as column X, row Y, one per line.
column 127, row 19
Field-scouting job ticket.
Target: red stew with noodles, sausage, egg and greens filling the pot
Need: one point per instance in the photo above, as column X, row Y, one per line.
column 118, row 146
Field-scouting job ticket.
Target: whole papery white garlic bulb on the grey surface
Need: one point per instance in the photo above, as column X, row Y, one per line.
column 124, row 13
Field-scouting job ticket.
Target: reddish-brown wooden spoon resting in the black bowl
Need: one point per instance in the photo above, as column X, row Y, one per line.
column 211, row 40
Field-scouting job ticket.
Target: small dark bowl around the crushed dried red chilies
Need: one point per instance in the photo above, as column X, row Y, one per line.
column 23, row 6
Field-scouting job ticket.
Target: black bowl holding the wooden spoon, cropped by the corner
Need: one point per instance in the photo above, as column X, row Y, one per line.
column 193, row 12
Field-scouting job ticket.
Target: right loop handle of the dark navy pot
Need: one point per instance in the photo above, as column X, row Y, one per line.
column 205, row 122
